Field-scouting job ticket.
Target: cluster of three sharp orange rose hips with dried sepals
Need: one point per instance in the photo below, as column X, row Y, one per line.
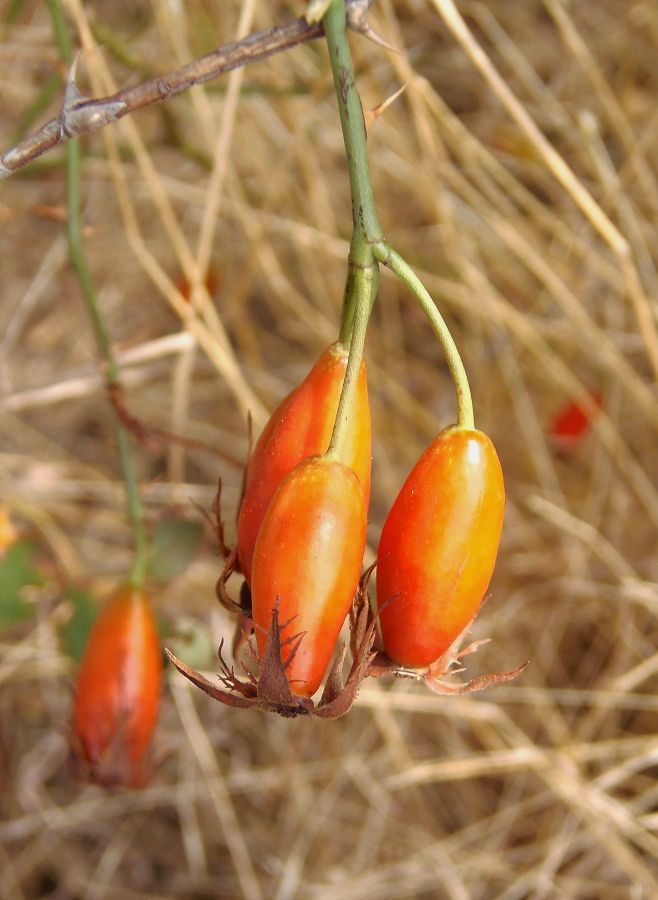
column 301, row 540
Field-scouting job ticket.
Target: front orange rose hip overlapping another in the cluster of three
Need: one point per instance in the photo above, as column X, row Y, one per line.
column 309, row 554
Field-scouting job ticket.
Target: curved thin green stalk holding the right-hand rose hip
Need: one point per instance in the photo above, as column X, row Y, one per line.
column 392, row 260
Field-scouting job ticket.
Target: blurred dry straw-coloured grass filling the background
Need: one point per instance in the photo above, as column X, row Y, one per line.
column 518, row 174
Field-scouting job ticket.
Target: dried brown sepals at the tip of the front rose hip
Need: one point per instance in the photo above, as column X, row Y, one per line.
column 271, row 690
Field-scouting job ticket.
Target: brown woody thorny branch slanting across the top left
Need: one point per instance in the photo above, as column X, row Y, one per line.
column 82, row 115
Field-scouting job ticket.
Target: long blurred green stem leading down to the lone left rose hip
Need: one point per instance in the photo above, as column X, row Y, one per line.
column 79, row 263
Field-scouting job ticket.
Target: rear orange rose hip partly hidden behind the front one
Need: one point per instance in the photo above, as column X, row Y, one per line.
column 300, row 427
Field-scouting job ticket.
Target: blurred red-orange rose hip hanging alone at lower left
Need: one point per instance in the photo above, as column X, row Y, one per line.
column 118, row 689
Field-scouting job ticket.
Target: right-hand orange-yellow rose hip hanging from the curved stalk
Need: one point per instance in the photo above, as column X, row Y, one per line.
column 439, row 545
